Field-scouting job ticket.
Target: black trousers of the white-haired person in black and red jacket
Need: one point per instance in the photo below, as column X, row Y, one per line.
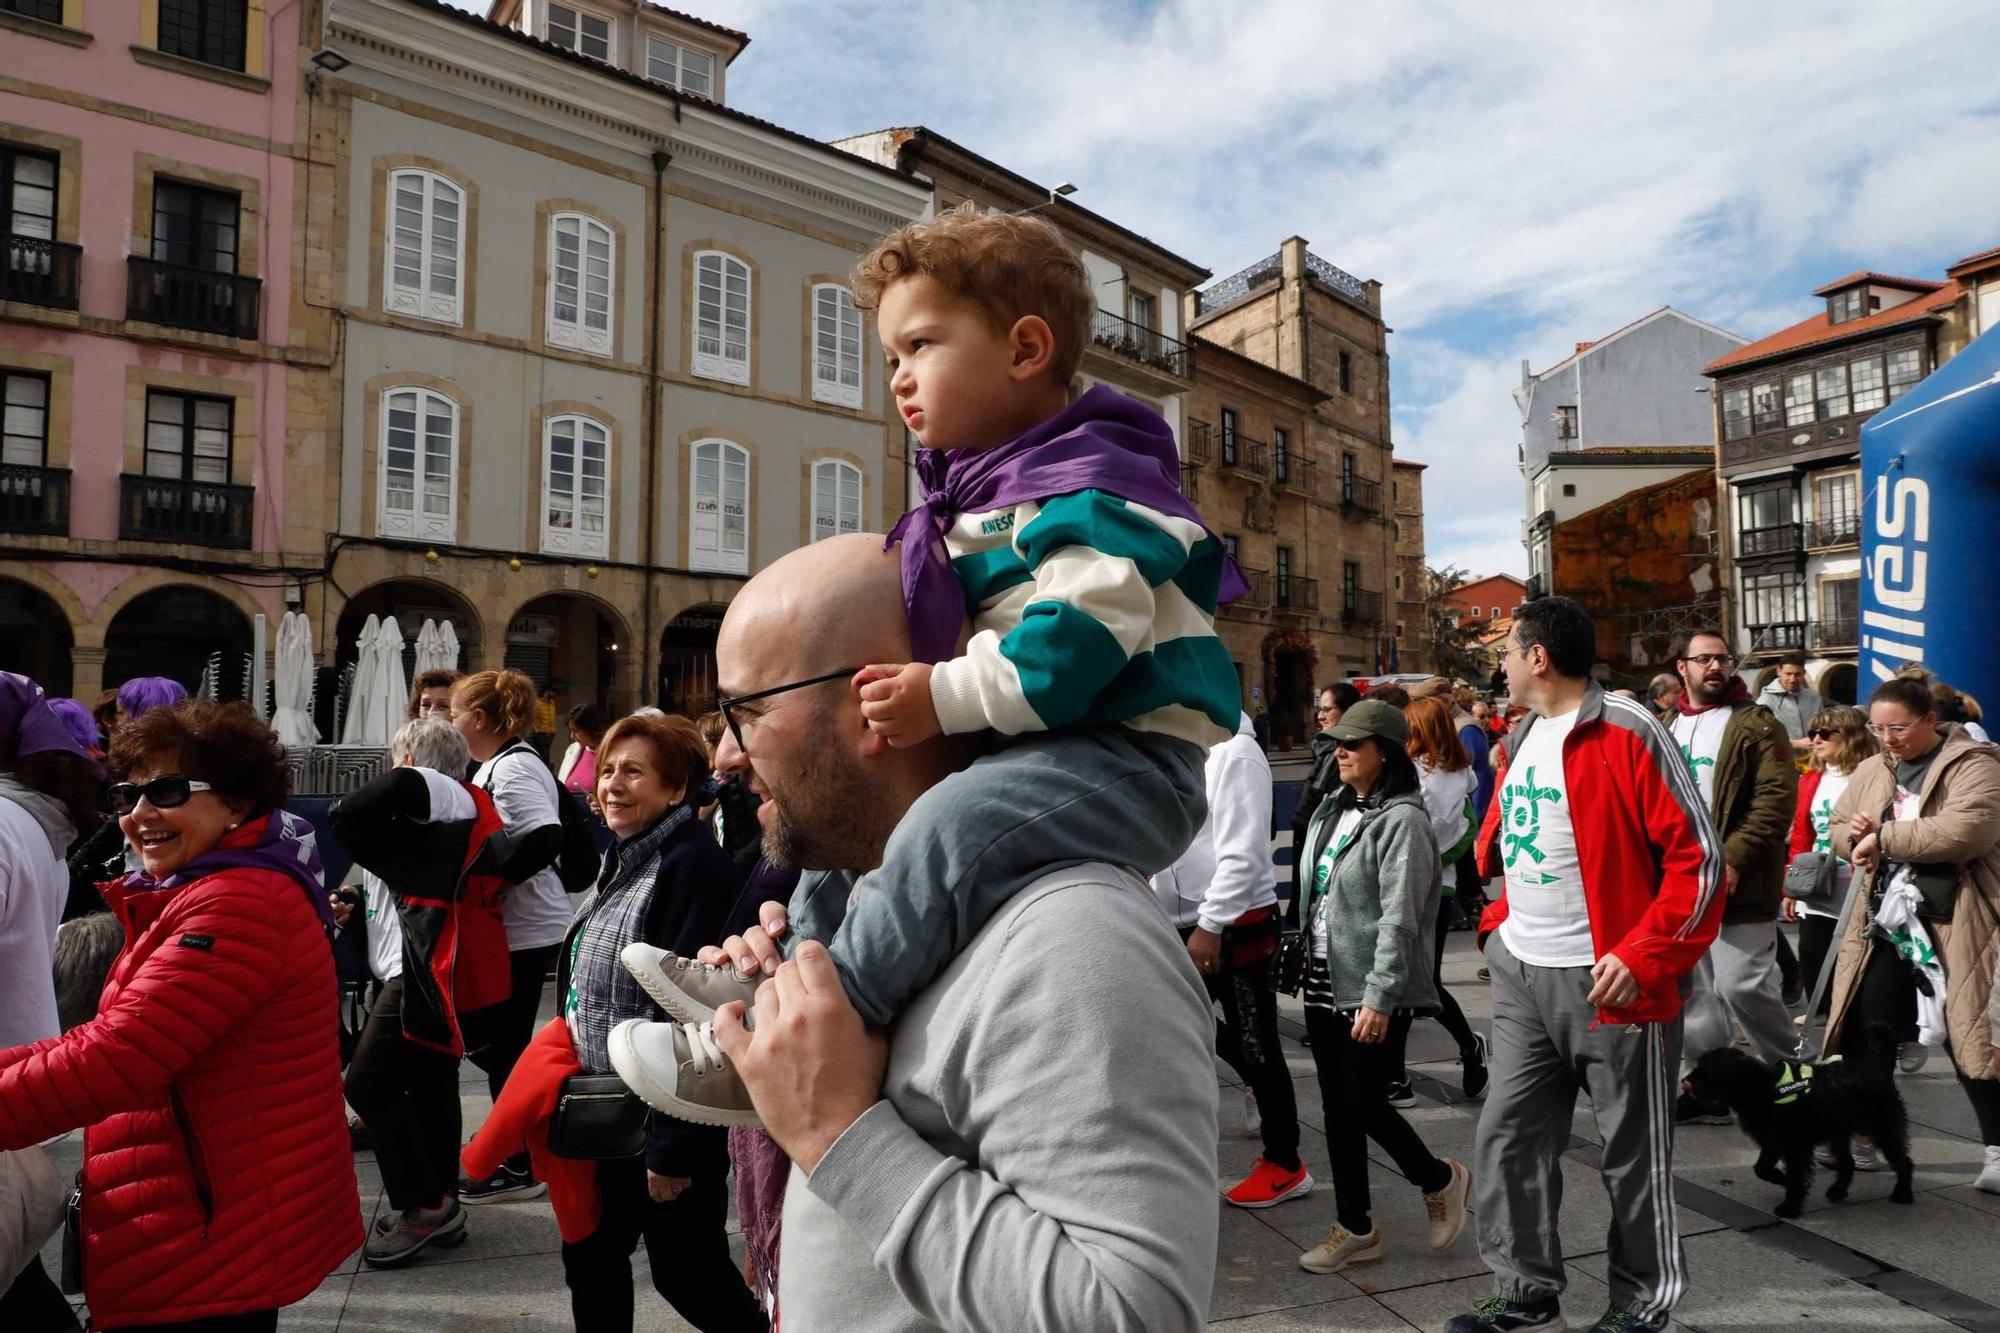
column 409, row 1098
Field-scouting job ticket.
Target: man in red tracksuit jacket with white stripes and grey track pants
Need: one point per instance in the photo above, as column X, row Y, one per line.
column 1613, row 894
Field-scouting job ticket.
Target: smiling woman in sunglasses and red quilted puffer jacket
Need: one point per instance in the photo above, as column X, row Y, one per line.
column 217, row 1174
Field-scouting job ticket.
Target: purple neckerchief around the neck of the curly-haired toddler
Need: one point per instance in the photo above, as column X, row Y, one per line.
column 1105, row 441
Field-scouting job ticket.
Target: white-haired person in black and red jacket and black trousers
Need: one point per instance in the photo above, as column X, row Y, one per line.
column 435, row 860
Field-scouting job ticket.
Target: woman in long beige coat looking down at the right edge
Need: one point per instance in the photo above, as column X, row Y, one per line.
column 1933, row 800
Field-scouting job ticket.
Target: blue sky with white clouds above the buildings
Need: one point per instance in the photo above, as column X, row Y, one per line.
column 1519, row 177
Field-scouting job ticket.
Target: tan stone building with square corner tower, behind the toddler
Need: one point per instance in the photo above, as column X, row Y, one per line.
column 1323, row 331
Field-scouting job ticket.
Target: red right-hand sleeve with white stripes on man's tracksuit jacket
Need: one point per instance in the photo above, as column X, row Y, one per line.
column 1687, row 912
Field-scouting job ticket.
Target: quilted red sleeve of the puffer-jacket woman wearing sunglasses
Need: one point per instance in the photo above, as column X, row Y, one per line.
column 181, row 1002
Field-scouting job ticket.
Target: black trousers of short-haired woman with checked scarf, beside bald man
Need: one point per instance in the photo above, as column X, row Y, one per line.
column 685, row 1242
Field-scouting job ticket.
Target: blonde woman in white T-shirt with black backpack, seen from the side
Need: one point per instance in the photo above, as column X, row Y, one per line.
column 495, row 714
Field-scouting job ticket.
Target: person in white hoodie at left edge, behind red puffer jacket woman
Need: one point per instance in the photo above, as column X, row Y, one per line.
column 47, row 794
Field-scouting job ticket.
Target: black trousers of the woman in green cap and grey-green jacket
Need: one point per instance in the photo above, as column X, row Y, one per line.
column 1355, row 1094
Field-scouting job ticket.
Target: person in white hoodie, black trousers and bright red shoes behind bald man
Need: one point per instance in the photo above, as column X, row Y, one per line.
column 1223, row 900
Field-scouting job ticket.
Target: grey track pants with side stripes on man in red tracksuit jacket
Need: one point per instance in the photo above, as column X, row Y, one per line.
column 1545, row 1050
